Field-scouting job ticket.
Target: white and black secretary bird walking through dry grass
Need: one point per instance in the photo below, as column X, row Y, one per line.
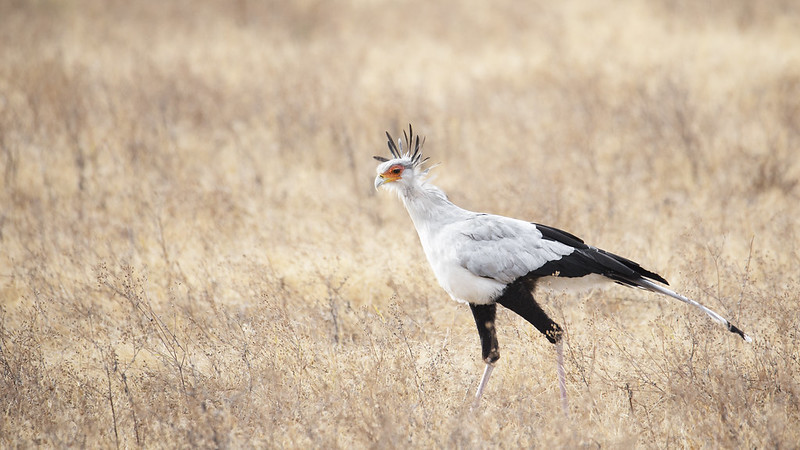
column 484, row 259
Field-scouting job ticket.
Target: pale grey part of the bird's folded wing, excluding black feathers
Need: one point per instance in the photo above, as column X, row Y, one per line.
column 504, row 249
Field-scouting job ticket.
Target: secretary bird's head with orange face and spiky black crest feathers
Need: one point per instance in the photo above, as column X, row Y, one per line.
column 404, row 168
